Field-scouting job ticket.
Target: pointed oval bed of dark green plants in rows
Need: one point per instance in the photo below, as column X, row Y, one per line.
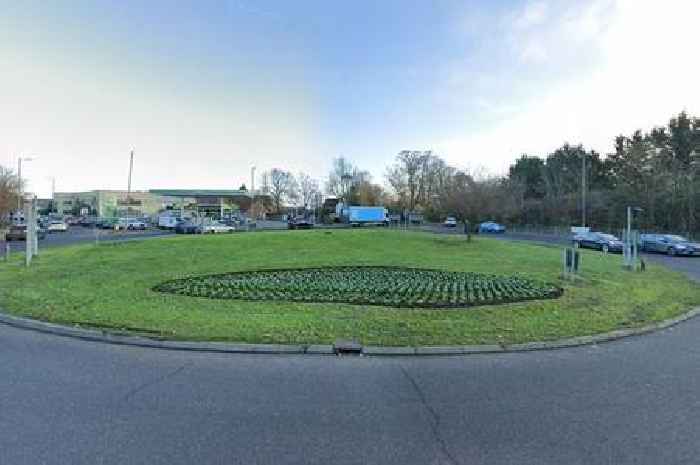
column 365, row 285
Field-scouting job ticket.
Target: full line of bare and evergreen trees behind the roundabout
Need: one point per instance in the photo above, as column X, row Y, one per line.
column 654, row 170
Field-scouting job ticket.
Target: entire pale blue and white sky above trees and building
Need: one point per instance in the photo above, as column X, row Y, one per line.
column 204, row 90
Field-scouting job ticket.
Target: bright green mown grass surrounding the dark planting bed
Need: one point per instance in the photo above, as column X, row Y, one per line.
column 109, row 286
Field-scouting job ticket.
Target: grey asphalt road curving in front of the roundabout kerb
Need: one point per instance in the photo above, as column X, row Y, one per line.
column 634, row 401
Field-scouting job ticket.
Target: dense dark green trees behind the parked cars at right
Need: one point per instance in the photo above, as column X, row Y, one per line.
column 655, row 171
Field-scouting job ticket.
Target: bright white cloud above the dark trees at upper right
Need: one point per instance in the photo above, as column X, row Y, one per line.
column 638, row 74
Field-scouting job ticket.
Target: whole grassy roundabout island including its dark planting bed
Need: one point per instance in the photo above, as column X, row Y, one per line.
column 376, row 287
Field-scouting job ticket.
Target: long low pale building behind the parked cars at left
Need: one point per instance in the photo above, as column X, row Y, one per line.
column 118, row 203
